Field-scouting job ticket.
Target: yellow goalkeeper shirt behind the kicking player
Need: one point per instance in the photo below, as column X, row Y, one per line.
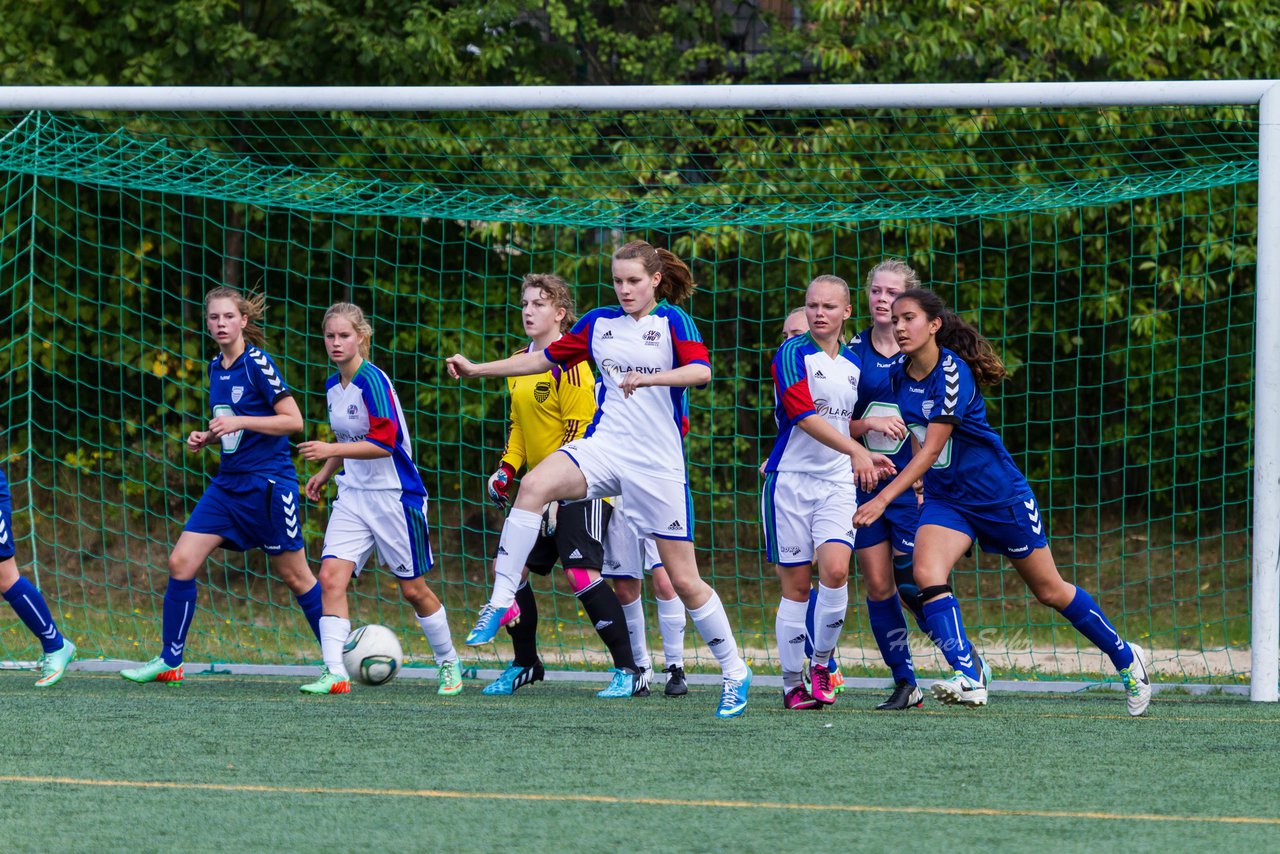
column 548, row 410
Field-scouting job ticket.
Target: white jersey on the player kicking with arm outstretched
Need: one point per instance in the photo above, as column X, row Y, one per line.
column 647, row 431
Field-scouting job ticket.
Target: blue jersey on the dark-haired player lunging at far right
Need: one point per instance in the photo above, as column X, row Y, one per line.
column 975, row 469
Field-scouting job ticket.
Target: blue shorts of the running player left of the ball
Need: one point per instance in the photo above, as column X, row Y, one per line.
column 250, row 513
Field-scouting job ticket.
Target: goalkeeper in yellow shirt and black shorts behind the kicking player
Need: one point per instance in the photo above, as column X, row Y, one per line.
column 547, row 412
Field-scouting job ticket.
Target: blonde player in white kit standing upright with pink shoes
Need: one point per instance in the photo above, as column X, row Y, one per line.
column 810, row 495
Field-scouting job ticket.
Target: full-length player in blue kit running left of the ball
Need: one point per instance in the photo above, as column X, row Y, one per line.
column 253, row 501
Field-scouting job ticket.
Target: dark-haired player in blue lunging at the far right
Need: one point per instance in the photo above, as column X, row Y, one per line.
column 973, row 492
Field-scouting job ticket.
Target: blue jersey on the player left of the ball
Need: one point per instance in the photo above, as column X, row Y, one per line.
column 252, row 386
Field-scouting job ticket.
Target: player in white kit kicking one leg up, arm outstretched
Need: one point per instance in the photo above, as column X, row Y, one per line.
column 648, row 353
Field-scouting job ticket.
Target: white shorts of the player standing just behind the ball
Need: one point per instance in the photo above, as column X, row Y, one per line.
column 387, row 519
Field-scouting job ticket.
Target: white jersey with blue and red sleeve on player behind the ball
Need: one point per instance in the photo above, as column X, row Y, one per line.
column 369, row 410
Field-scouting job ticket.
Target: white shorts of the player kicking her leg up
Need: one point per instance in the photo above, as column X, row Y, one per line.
column 656, row 508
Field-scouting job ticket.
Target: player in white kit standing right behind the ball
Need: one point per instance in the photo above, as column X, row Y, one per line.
column 382, row 503
